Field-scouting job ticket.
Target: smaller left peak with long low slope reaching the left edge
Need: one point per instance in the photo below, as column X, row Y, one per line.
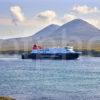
column 25, row 43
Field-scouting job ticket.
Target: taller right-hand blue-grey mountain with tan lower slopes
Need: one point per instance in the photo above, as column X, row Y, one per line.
column 76, row 32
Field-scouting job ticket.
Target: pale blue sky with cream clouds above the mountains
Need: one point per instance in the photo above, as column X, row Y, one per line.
column 20, row 18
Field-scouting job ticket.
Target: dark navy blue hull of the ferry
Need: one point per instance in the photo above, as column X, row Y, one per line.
column 67, row 56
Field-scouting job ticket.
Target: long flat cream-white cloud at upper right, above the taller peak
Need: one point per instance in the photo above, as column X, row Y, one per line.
column 84, row 9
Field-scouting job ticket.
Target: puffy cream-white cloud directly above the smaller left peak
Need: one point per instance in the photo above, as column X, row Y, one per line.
column 46, row 17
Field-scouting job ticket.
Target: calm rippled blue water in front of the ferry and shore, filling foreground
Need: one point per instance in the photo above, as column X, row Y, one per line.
column 50, row 79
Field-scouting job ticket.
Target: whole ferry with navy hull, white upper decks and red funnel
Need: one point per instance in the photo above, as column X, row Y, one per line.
column 38, row 52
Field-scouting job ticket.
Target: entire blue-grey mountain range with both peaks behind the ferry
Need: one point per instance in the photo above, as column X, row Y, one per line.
column 78, row 33
